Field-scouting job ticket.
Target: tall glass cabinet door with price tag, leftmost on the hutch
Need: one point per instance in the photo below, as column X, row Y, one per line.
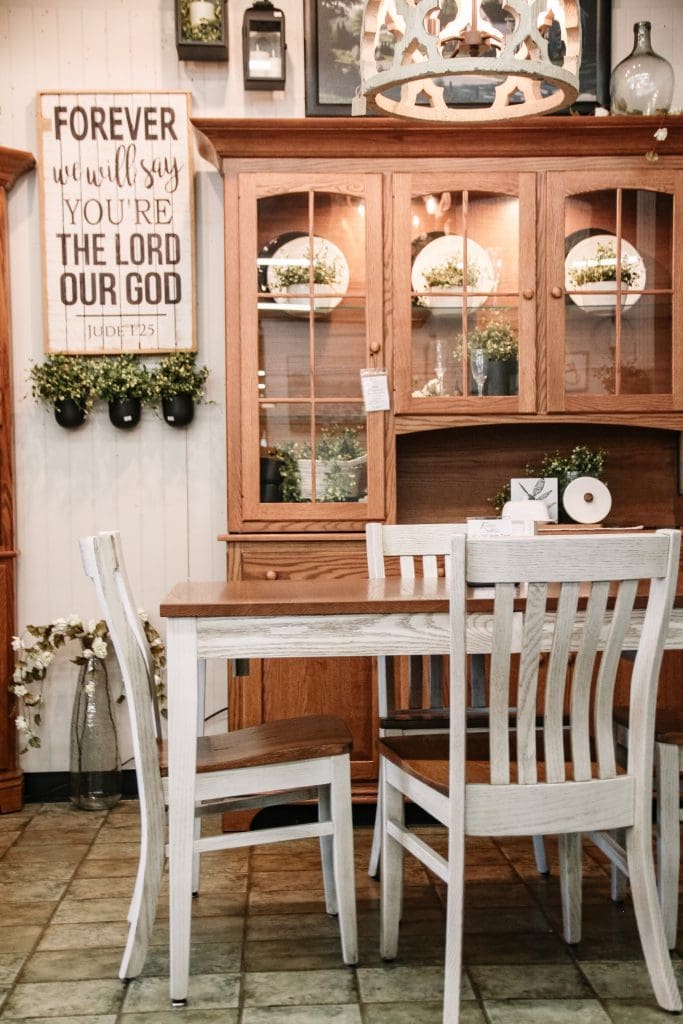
column 311, row 323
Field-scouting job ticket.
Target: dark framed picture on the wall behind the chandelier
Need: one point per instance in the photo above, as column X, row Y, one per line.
column 332, row 32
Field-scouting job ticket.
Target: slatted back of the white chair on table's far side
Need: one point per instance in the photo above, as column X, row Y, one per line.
column 421, row 550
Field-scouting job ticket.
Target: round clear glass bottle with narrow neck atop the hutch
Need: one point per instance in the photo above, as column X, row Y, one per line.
column 644, row 82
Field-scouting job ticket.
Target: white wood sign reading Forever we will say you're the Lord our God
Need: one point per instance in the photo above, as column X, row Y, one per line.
column 118, row 222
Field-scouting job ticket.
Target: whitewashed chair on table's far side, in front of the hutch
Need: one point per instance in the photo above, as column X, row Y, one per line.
column 422, row 550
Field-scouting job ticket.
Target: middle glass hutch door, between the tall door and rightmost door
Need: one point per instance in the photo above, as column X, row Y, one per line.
column 464, row 293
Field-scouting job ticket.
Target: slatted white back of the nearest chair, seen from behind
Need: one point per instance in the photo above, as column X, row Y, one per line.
column 589, row 586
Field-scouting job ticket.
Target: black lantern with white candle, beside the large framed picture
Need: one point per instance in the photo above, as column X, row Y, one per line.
column 264, row 47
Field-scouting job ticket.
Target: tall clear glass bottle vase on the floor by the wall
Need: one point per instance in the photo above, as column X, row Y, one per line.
column 96, row 765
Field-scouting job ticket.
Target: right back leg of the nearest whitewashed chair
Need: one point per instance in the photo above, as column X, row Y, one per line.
column 649, row 918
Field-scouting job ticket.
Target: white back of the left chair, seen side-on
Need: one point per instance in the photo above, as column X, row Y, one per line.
column 104, row 566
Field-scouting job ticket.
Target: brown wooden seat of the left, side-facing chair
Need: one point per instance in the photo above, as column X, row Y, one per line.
column 273, row 743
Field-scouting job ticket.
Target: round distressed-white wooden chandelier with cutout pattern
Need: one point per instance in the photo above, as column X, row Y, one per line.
column 477, row 61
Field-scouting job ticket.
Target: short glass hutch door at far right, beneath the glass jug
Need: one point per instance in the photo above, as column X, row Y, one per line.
column 611, row 344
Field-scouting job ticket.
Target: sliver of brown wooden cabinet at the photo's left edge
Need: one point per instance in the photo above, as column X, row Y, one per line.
column 13, row 164
